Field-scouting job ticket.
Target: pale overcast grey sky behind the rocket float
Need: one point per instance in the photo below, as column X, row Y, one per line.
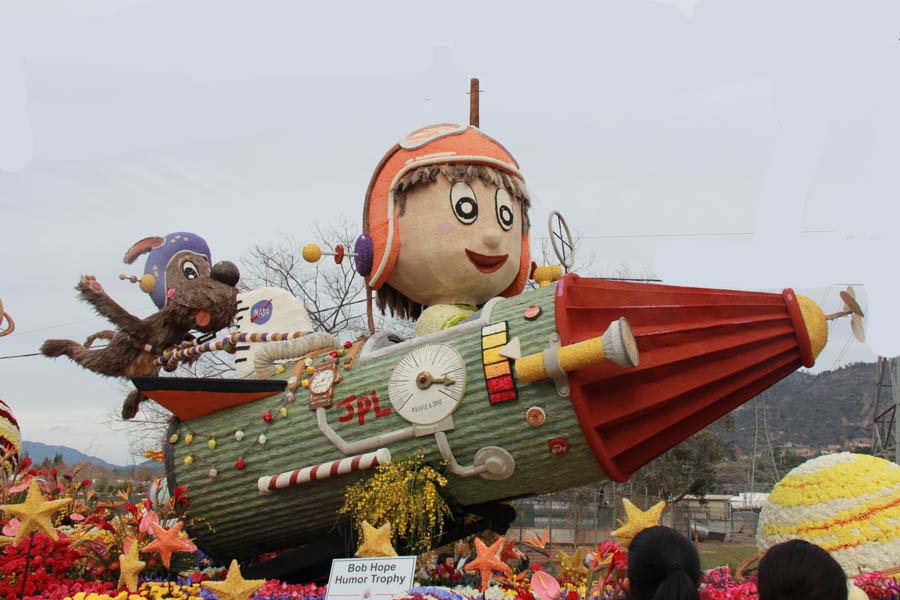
column 747, row 144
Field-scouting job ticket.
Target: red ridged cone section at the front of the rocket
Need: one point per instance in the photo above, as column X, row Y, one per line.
column 703, row 352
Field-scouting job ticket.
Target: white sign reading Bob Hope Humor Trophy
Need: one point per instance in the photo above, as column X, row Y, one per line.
column 369, row 570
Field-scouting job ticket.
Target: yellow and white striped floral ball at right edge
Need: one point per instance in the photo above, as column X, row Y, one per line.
column 849, row 504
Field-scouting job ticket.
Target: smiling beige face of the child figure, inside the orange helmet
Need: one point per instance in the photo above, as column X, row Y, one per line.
column 461, row 242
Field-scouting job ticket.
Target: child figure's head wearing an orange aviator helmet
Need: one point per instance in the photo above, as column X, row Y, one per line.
column 447, row 211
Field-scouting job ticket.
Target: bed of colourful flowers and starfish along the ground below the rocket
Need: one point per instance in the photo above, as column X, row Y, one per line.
column 87, row 550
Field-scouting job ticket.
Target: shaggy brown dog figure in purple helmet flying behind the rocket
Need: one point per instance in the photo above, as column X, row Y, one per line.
column 190, row 294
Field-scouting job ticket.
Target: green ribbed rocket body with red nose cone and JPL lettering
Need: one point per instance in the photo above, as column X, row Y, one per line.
column 537, row 393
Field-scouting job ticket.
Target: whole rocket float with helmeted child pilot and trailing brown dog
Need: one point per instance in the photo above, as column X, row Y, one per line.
column 520, row 380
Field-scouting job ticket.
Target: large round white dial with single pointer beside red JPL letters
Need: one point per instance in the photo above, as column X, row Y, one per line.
column 427, row 384
